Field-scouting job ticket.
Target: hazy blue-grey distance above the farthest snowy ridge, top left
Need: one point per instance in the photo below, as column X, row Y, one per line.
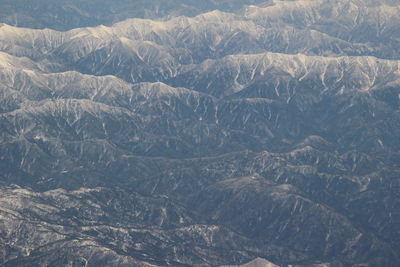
column 69, row 14
